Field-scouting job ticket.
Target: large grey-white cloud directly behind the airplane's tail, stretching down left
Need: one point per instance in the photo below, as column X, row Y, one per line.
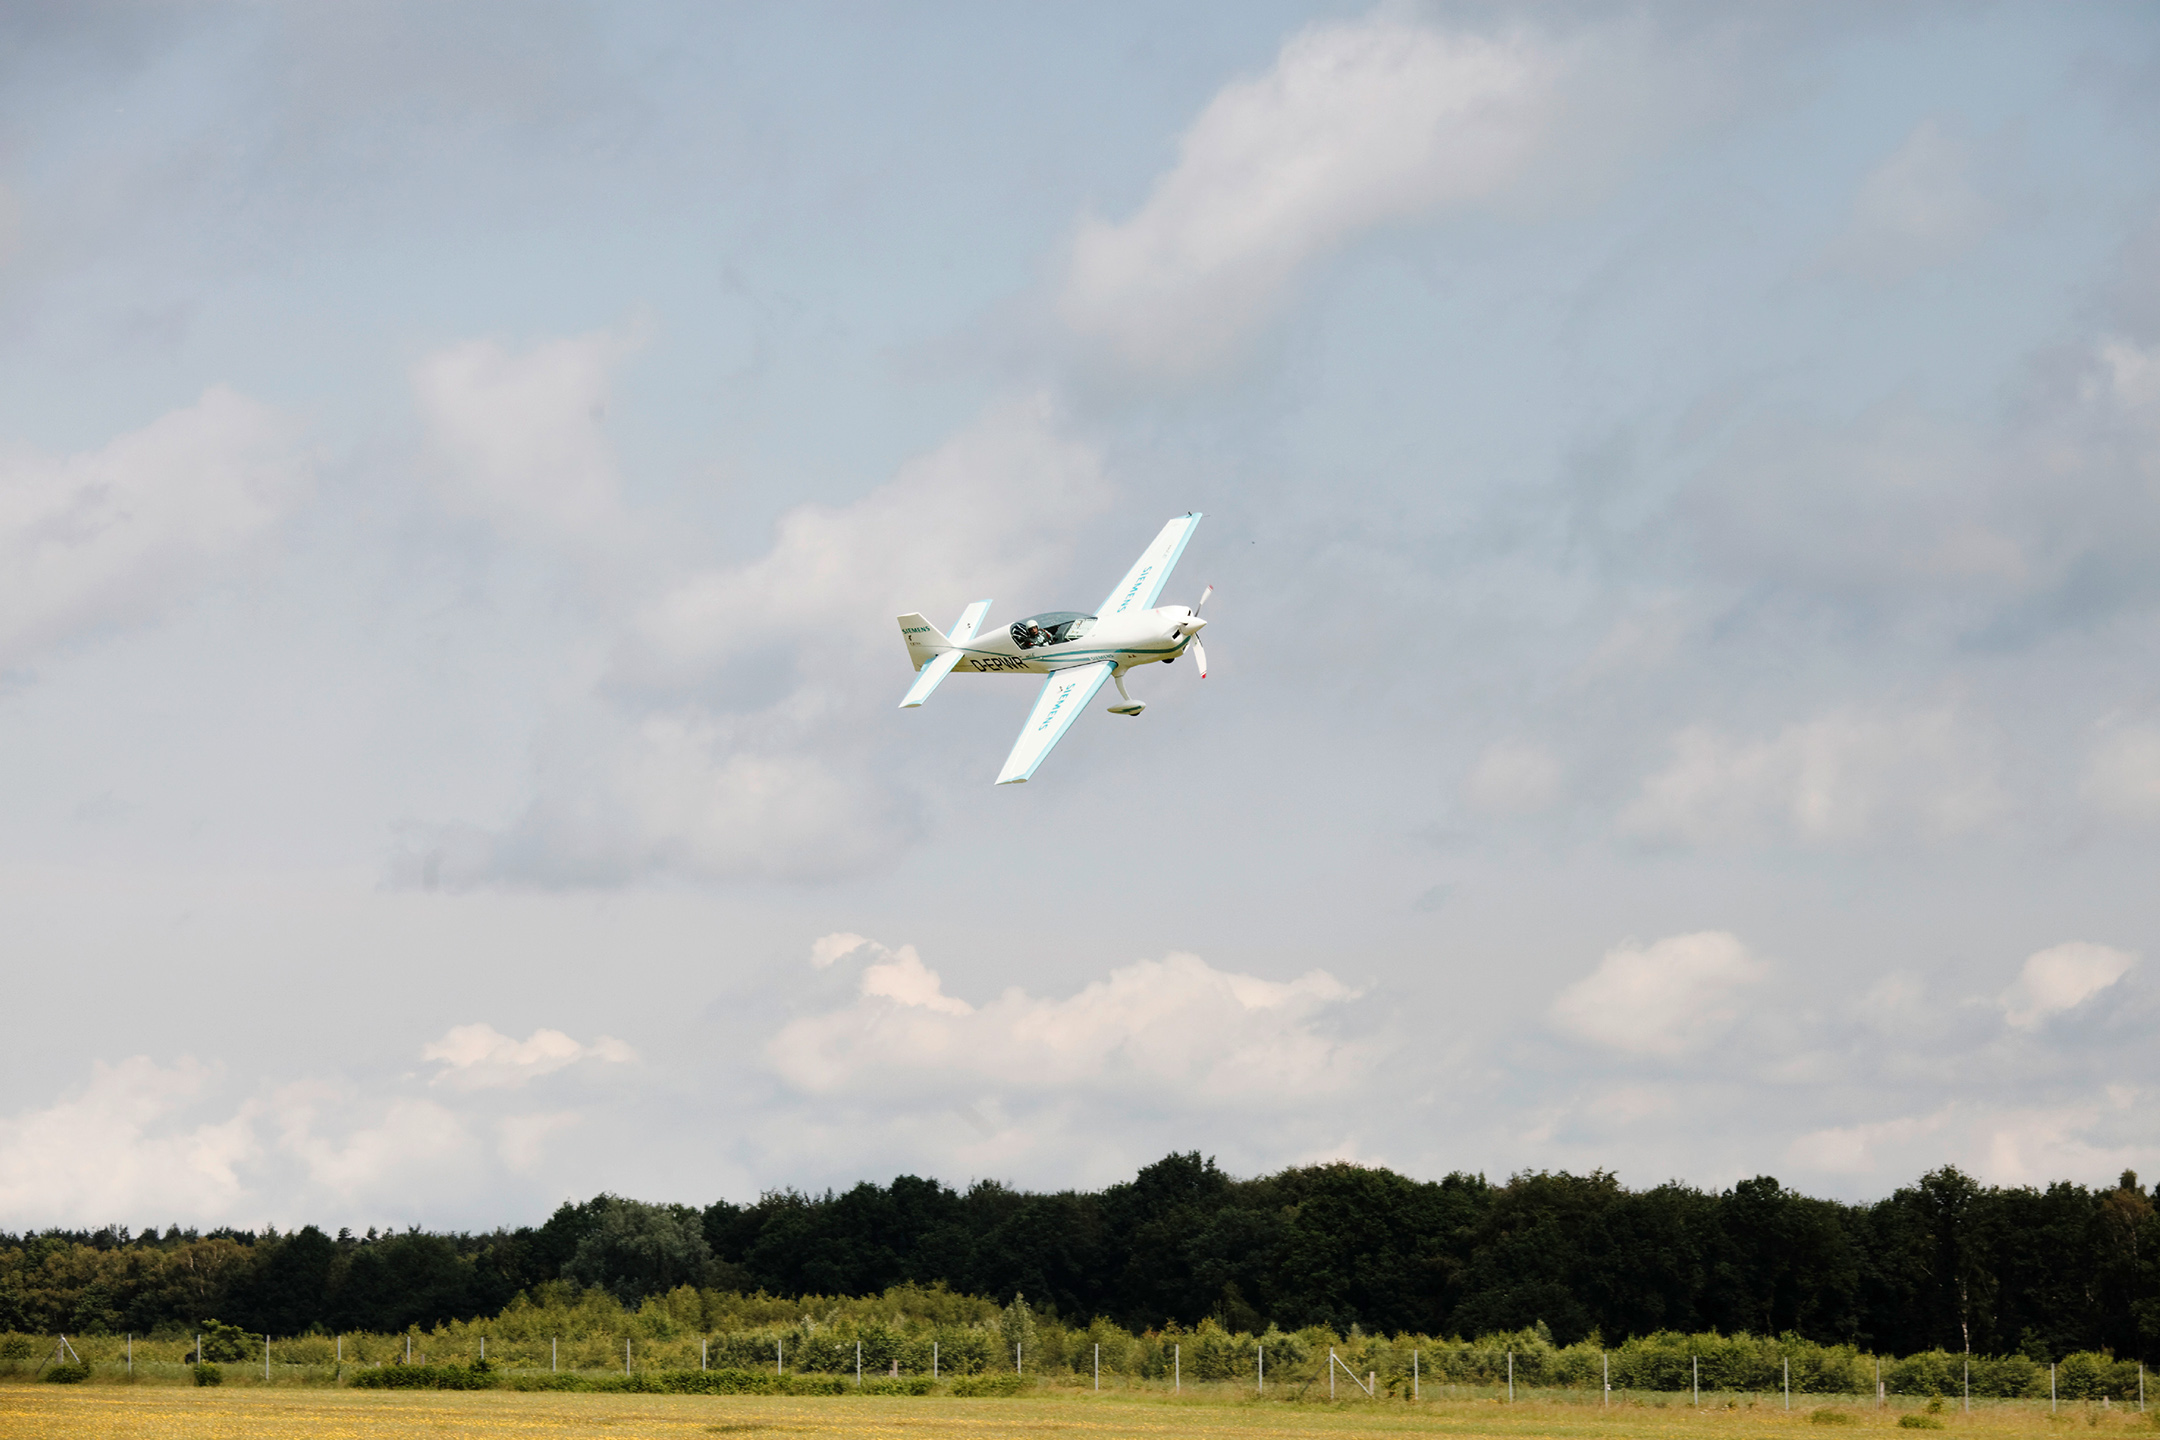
column 735, row 731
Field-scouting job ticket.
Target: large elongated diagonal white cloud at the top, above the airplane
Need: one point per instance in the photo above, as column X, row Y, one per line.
column 1358, row 124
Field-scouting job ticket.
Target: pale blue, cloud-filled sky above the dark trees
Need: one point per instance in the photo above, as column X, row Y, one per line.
column 1682, row 487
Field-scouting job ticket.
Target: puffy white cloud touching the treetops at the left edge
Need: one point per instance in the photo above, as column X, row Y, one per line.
column 113, row 1150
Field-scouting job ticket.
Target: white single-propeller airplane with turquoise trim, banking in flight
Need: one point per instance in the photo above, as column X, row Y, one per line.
column 1077, row 651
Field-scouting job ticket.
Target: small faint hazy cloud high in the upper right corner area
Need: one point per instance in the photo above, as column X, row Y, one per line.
column 1917, row 208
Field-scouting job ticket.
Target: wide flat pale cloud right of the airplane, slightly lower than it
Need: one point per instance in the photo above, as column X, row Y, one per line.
column 1839, row 778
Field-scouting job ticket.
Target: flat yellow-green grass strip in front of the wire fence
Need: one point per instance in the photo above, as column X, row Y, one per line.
column 159, row 1413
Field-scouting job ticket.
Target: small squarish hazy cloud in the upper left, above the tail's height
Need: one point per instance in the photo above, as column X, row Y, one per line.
column 519, row 437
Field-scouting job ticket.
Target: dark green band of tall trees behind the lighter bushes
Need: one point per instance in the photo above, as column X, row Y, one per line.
column 1943, row 1264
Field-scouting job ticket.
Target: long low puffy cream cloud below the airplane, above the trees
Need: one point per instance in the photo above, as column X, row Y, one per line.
column 1209, row 1035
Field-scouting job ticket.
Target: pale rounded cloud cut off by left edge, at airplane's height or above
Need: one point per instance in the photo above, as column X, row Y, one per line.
column 116, row 534
